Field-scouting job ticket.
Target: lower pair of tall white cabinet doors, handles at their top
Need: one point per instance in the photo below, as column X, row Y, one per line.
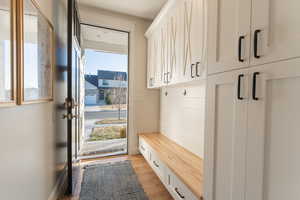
column 252, row 133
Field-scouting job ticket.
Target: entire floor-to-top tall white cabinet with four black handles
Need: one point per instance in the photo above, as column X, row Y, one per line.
column 253, row 110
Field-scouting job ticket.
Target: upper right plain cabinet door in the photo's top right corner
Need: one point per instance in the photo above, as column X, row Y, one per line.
column 275, row 30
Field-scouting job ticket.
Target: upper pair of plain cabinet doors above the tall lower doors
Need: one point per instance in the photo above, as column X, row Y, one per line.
column 243, row 33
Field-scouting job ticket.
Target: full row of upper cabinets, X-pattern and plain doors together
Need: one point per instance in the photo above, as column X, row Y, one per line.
column 200, row 37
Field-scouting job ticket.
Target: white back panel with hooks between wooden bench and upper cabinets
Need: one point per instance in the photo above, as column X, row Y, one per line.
column 183, row 117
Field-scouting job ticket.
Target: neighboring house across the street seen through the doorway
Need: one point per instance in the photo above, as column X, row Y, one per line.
column 106, row 84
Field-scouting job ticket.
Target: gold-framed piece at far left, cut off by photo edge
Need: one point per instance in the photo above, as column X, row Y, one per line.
column 7, row 54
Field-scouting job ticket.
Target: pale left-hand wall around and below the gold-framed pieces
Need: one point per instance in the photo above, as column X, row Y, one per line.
column 27, row 146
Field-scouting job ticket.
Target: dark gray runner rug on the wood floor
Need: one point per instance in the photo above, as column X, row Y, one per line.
column 111, row 181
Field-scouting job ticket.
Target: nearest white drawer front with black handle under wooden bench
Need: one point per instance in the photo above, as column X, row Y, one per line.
column 177, row 189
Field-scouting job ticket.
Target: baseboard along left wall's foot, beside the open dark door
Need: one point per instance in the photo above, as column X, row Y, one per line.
column 60, row 186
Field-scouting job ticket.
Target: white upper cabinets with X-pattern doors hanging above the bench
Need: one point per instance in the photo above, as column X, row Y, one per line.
column 182, row 43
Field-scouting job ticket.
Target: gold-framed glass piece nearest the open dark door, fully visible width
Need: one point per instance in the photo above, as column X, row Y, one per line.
column 35, row 54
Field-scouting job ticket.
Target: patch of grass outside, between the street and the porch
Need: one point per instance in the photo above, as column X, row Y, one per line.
column 107, row 133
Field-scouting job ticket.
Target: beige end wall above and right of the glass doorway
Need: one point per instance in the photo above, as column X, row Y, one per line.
column 143, row 103
